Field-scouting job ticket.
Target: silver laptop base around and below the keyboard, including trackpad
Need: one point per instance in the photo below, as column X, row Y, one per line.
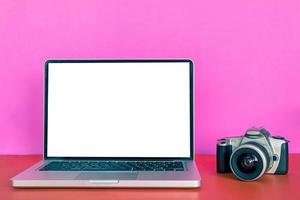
column 34, row 178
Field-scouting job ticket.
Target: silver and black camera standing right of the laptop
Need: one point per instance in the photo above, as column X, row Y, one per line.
column 248, row 157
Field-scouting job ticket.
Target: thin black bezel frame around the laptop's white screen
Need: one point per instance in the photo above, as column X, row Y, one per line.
column 191, row 101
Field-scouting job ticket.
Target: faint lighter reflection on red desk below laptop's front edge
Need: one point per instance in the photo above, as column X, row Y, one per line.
column 94, row 193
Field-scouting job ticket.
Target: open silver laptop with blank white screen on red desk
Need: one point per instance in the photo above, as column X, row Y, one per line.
column 116, row 123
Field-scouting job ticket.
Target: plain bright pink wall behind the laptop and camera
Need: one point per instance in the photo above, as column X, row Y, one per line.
column 246, row 54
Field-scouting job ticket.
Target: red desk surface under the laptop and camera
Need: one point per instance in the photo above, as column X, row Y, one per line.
column 214, row 186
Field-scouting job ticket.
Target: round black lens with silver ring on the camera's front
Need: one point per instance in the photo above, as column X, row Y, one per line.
column 249, row 161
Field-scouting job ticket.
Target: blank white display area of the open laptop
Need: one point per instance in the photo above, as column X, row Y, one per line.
column 119, row 109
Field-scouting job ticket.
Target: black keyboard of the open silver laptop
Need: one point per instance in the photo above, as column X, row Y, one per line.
column 113, row 166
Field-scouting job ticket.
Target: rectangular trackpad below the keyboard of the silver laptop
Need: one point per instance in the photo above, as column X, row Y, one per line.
column 107, row 176
